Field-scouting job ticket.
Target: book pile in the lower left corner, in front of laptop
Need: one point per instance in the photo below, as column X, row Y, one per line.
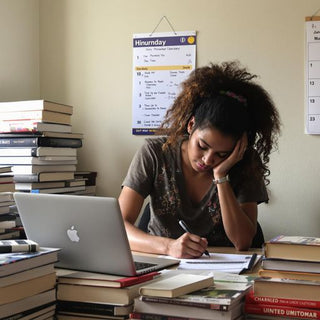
column 27, row 284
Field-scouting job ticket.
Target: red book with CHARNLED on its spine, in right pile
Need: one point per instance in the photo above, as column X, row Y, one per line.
column 308, row 304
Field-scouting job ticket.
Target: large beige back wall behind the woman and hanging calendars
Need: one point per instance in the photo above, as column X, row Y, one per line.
column 86, row 61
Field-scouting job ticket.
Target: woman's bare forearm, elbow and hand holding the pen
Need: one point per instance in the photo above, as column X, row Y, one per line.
column 187, row 246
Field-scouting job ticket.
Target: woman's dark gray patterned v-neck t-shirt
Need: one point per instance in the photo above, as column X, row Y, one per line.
column 158, row 174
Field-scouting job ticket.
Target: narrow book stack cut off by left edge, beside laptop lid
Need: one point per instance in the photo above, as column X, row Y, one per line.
column 8, row 219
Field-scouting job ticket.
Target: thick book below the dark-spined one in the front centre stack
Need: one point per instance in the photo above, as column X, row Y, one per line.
column 186, row 312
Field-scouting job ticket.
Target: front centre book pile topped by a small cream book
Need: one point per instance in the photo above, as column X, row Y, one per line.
column 218, row 299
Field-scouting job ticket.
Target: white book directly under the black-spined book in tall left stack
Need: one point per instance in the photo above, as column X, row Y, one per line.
column 38, row 152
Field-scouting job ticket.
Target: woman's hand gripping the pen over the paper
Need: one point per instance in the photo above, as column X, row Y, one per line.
column 187, row 246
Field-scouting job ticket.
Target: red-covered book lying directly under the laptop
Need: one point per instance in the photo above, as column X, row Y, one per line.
column 99, row 279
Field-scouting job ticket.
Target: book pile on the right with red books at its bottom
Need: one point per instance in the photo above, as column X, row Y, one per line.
column 289, row 282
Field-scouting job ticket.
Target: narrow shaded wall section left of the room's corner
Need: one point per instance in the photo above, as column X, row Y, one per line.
column 19, row 53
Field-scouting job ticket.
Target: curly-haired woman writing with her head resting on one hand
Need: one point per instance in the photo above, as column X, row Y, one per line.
column 209, row 171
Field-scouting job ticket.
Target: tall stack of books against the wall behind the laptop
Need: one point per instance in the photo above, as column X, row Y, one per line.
column 36, row 139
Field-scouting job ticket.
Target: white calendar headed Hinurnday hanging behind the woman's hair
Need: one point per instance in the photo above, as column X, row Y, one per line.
column 161, row 61
